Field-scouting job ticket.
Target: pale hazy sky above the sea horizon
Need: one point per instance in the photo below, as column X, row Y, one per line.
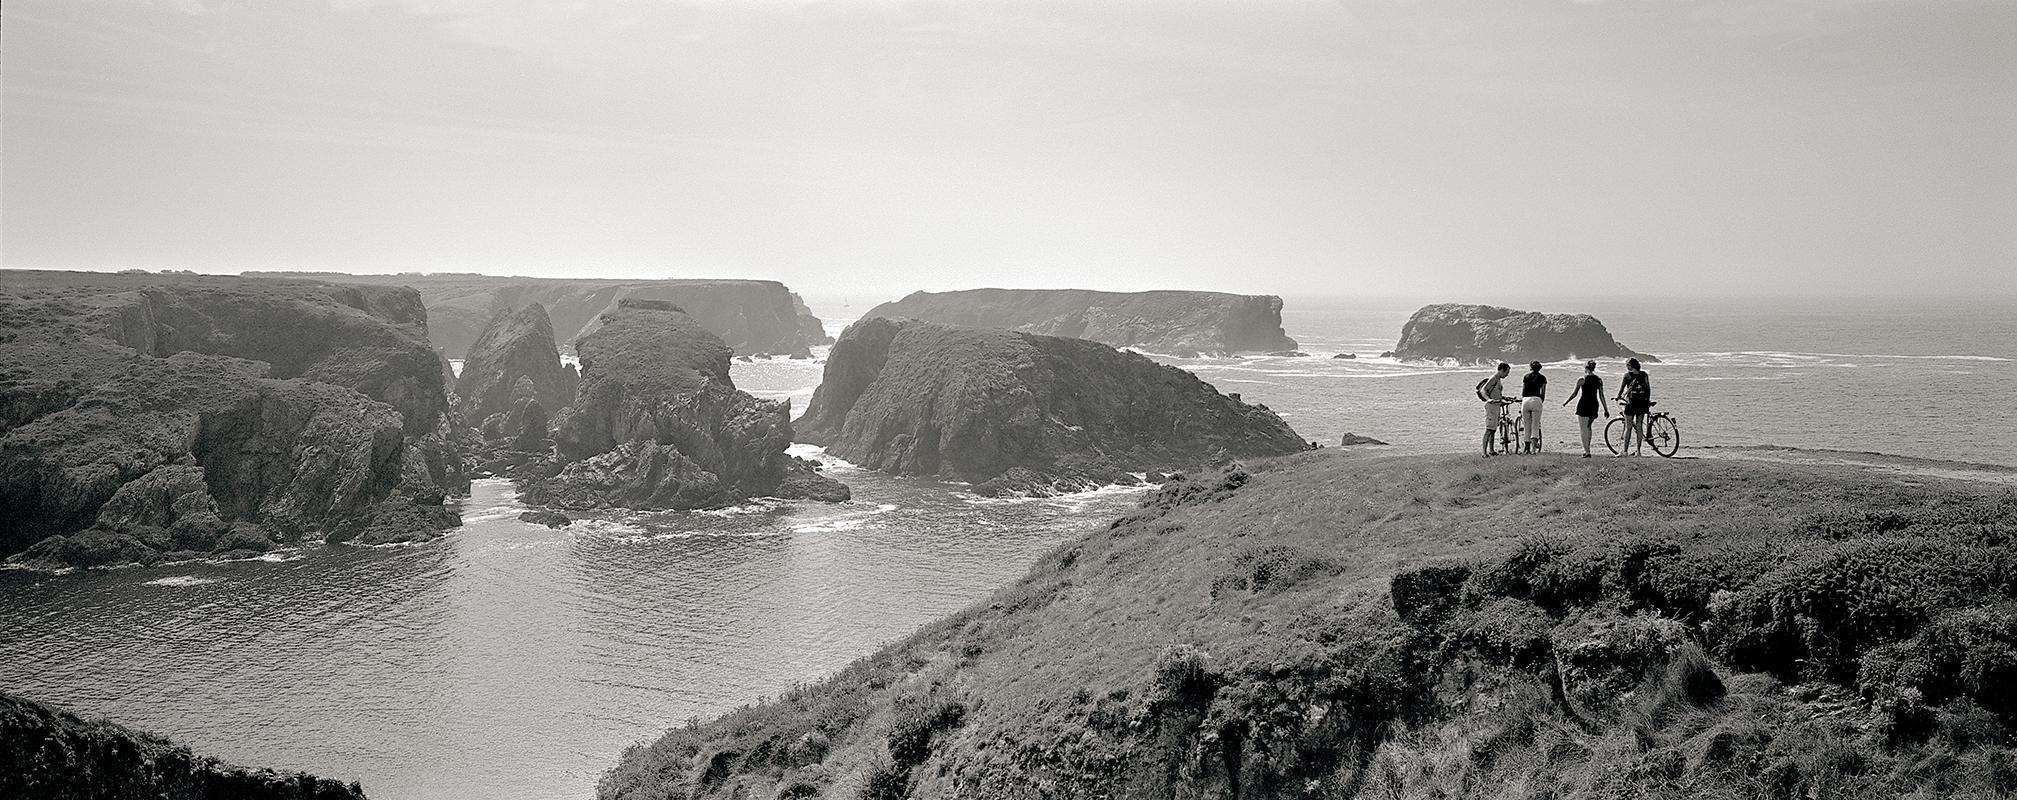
column 1387, row 148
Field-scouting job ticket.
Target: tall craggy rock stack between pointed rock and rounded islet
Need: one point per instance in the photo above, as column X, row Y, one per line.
column 661, row 424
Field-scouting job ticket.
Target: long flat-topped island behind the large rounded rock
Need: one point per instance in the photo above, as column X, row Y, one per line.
column 1173, row 323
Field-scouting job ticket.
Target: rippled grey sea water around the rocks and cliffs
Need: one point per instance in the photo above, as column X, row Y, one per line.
column 517, row 662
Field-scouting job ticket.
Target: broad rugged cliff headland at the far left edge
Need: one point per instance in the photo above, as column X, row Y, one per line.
column 146, row 416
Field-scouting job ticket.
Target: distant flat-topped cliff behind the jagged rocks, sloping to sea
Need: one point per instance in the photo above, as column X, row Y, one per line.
column 749, row 315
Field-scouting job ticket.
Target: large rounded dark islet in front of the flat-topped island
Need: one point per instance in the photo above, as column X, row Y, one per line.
column 1024, row 414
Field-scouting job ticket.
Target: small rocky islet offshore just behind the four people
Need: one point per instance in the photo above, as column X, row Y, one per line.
column 1492, row 334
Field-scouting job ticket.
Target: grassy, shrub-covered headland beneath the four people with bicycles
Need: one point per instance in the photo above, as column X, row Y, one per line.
column 1344, row 626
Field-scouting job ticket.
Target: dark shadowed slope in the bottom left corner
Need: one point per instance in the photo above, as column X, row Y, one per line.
column 49, row 755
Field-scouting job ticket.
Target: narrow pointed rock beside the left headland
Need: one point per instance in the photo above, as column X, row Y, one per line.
column 513, row 358
